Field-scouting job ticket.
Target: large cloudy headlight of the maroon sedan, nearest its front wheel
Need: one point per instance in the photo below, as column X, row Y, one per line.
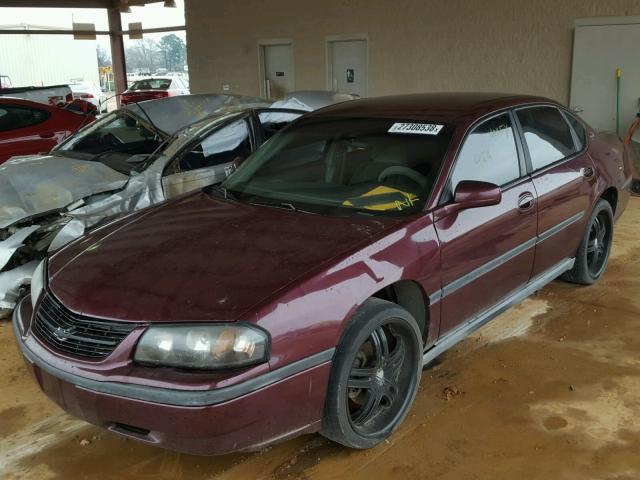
column 203, row 347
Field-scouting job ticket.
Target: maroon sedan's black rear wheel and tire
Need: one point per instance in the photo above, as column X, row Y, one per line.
column 593, row 253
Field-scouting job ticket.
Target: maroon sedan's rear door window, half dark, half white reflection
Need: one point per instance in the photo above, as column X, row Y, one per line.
column 547, row 135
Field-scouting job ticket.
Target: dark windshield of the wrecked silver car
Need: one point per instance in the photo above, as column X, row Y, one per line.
column 114, row 140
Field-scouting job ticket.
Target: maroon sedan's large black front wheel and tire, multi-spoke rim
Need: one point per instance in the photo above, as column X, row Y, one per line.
column 374, row 377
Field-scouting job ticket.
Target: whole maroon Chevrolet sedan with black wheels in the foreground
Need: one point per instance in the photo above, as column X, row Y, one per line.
column 306, row 293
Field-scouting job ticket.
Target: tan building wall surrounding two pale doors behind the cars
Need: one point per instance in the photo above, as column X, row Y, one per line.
column 414, row 45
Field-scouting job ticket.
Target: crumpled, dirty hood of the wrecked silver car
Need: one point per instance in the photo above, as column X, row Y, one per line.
column 37, row 184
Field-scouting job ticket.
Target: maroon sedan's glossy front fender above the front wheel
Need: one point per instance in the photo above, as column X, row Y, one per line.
column 324, row 303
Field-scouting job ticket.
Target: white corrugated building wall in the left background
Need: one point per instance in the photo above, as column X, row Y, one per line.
column 35, row 60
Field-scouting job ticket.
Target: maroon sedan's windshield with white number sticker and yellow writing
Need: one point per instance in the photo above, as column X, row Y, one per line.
column 345, row 166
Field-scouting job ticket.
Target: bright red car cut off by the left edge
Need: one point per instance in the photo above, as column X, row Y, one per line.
column 29, row 128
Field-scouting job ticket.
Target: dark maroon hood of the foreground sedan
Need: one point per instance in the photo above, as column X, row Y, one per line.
column 199, row 259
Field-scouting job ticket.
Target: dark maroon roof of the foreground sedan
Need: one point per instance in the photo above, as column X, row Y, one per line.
column 454, row 108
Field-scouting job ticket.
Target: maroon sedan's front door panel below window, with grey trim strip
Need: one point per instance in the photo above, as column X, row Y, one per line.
column 471, row 240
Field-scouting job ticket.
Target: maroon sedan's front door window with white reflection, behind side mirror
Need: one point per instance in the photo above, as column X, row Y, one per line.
column 489, row 154
